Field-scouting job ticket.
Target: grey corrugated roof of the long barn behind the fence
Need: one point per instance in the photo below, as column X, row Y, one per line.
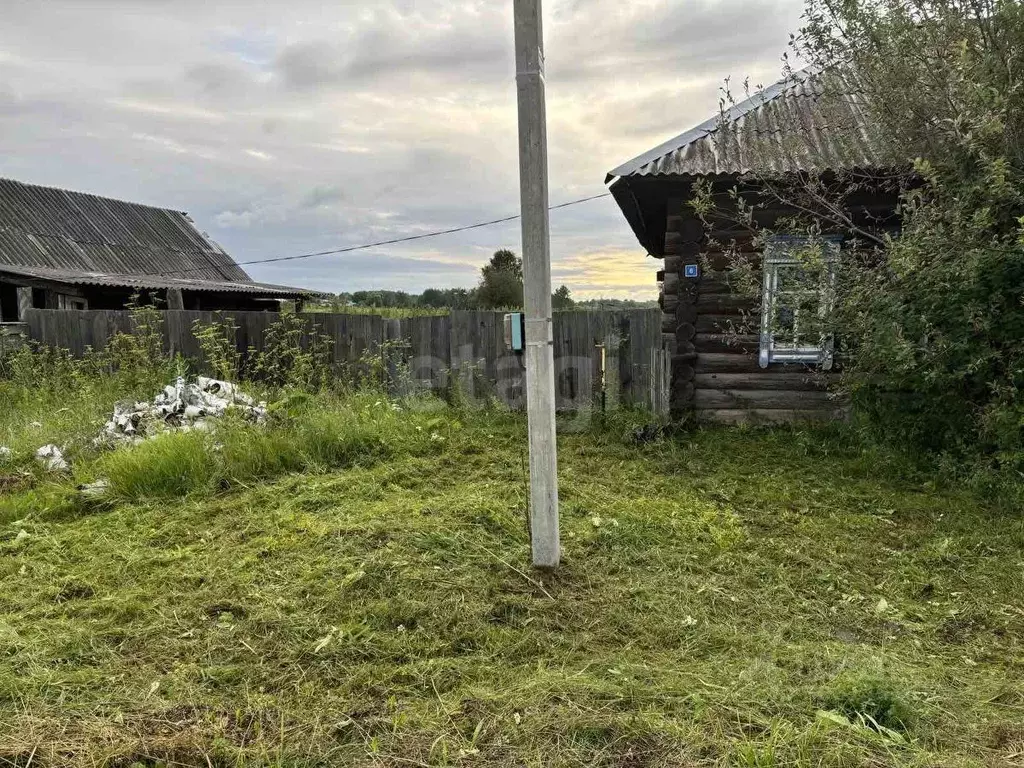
column 72, row 237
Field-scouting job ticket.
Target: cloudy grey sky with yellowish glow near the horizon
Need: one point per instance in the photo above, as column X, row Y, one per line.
column 292, row 126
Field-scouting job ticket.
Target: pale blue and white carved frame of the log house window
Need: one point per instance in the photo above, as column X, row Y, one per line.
column 779, row 257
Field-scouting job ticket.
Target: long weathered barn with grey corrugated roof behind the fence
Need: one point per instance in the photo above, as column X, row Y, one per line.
column 68, row 250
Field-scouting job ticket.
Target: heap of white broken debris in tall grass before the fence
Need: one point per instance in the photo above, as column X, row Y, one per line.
column 182, row 406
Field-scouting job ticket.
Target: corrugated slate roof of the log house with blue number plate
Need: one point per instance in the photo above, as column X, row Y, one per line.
column 813, row 121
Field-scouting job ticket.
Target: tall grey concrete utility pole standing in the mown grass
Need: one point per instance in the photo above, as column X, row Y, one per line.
column 537, row 283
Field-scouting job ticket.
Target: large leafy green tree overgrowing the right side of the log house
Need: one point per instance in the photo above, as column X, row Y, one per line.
column 931, row 321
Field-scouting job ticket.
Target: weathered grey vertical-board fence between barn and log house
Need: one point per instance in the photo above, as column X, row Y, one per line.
column 602, row 358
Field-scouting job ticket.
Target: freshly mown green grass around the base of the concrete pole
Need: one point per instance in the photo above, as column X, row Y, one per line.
column 728, row 598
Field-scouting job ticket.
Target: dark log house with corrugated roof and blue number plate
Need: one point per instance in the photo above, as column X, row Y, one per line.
column 731, row 363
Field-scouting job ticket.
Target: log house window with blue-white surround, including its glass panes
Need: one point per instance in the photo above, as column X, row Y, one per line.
column 797, row 300
